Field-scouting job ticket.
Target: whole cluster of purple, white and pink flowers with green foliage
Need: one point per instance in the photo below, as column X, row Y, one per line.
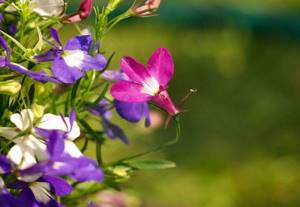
column 55, row 97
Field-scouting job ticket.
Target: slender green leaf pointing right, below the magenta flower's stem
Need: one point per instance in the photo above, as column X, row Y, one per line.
column 150, row 164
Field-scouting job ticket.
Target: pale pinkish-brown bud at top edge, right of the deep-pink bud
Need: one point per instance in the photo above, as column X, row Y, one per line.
column 147, row 9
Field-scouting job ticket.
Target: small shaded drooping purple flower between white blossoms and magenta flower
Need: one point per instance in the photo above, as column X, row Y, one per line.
column 113, row 131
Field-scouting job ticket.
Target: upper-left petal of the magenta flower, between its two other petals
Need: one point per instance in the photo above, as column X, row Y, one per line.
column 134, row 70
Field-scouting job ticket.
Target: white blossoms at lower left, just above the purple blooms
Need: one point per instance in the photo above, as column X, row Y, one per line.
column 30, row 148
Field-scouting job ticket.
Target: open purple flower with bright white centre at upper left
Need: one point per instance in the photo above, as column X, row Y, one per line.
column 71, row 61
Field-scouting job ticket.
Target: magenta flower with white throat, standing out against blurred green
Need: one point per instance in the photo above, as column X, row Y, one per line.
column 147, row 83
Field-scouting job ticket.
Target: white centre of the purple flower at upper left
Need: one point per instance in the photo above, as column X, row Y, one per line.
column 74, row 58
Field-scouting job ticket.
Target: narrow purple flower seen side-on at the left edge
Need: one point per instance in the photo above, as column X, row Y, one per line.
column 5, row 62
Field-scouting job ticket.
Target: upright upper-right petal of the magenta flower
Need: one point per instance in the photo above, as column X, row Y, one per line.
column 161, row 66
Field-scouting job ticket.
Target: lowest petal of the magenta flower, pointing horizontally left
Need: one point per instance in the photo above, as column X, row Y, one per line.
column 129, row 92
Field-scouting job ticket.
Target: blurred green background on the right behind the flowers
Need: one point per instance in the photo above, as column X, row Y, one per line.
column 240, row 143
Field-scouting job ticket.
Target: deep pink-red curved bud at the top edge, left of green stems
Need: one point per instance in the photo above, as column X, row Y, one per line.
column 83, row 12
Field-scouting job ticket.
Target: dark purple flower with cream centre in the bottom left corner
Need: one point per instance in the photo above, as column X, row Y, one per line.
column 35, row 187
